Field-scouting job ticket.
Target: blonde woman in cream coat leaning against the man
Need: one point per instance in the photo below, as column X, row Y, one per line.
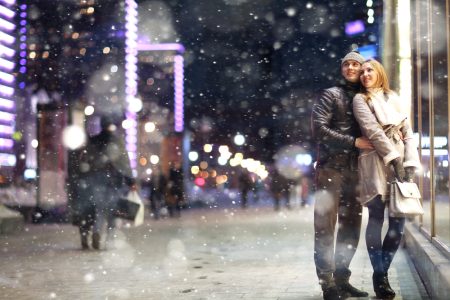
column 378, row 111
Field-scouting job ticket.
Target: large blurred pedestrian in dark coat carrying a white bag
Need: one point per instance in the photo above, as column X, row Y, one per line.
column 107, row 175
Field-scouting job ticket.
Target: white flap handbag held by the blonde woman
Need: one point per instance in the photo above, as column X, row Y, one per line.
column 404, row 200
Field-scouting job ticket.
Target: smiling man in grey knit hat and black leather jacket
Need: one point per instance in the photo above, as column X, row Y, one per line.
column 337, row 135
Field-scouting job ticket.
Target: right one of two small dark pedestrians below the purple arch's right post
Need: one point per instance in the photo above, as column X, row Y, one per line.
column 175, row 190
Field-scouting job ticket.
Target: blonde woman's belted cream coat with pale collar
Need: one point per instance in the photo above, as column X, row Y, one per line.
column 382, row 121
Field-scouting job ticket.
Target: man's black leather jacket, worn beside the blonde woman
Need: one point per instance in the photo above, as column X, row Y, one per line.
column 335, row 128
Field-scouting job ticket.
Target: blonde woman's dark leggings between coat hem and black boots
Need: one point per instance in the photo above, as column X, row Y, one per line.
column 381, row 252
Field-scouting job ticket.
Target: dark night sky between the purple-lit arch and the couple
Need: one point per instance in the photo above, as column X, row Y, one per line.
column 256, row 66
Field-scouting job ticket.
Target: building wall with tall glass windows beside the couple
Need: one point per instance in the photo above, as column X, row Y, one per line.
column 427, row 237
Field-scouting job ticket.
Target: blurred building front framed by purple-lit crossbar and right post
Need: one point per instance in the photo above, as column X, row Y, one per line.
column 161, row 88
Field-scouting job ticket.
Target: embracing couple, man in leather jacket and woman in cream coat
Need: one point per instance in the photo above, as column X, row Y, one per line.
column 364, row 140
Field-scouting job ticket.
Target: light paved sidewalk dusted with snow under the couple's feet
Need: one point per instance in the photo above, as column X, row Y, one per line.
column 218, row 253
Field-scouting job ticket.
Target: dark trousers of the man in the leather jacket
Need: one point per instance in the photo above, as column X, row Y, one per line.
column 336, row 192
